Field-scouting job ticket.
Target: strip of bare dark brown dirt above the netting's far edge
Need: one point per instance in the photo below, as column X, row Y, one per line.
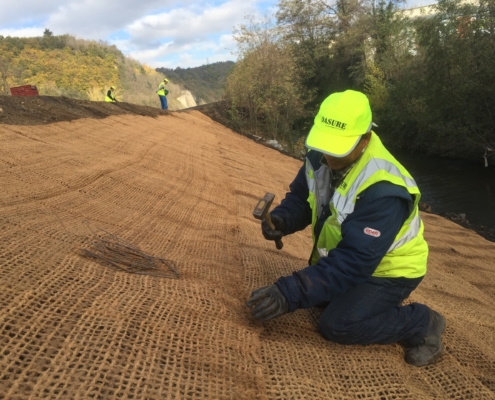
column 40, row 110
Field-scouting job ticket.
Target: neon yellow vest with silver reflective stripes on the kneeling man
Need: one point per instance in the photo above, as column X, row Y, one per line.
column 407, row 255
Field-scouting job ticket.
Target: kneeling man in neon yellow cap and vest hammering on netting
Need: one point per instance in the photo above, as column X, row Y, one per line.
column 369, row 253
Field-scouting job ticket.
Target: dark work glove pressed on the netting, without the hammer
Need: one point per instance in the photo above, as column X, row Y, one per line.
column 268, row 302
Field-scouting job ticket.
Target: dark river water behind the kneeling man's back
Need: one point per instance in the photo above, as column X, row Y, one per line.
column 454, row 186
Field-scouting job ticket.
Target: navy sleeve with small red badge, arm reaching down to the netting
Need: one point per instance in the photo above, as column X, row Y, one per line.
column 357, row 255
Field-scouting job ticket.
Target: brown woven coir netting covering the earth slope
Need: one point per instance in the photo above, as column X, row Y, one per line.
column 183, row 187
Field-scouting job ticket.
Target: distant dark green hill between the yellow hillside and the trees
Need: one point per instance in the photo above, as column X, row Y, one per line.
column 206, row 82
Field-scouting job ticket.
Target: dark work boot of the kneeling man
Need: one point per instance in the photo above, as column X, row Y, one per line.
column 430, row 348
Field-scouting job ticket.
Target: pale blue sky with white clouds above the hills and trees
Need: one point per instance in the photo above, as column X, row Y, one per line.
column 159, row 33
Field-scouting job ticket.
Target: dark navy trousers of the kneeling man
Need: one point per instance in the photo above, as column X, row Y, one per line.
column 371, row 313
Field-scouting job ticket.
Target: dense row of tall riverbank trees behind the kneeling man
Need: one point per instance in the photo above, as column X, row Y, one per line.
column 430, row 80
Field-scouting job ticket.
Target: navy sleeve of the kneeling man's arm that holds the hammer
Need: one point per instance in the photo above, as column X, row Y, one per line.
column 294, row 208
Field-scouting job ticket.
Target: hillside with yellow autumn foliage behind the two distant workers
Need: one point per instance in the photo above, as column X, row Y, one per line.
column 81, row 69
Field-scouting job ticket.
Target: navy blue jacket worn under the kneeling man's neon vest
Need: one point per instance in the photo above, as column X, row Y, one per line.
column 383, row 206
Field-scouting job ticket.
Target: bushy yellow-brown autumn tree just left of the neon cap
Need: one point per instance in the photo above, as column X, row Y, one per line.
column 264, row 90
